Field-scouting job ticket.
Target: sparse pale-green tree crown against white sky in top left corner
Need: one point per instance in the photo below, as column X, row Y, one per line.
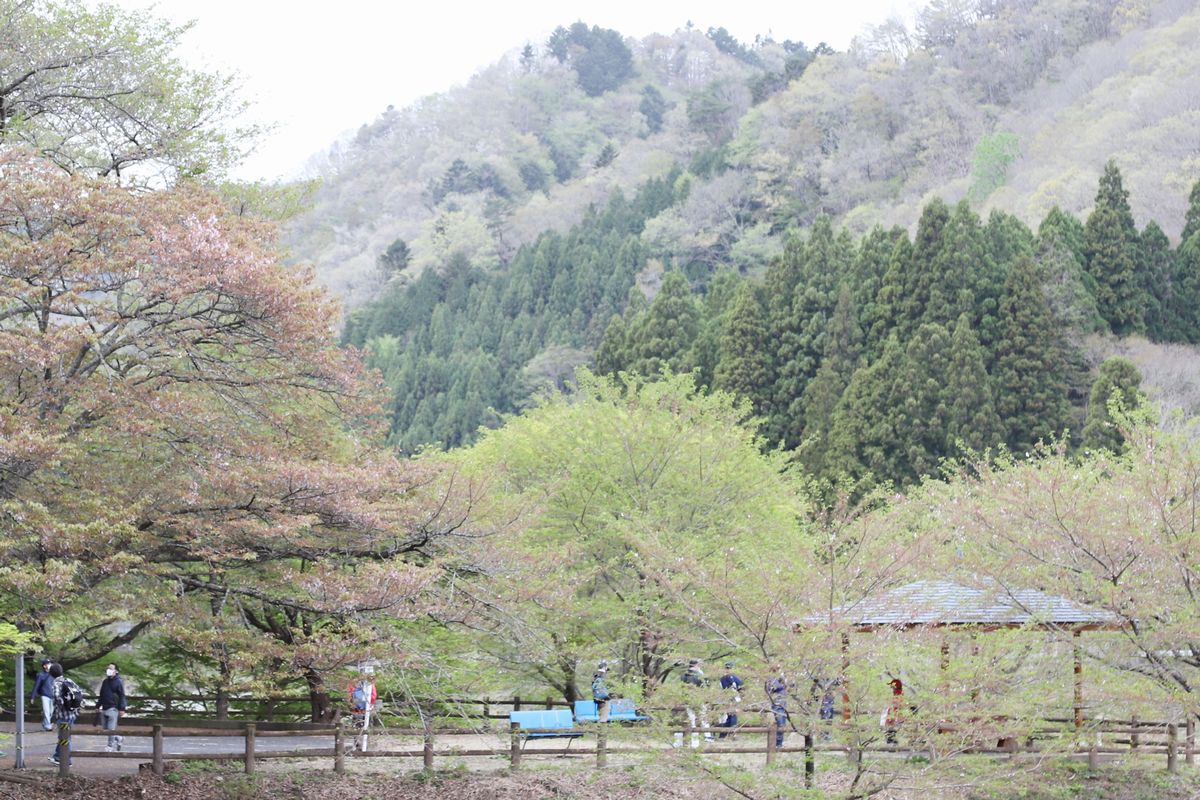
column 104, row 93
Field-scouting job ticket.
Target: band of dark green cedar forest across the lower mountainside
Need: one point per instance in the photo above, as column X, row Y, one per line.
column 879, row 356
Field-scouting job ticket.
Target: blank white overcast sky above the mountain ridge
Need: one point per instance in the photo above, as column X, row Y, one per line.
column 316, row 70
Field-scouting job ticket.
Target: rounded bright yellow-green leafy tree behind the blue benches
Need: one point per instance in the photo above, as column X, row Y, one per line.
column 615, row 490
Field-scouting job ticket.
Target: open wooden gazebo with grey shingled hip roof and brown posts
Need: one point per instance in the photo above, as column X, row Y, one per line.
column 947, row 605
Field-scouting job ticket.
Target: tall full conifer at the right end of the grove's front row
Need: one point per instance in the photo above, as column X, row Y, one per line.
column 1031, row 390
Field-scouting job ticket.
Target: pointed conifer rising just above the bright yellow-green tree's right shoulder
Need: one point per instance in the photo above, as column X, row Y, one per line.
column 745, row 365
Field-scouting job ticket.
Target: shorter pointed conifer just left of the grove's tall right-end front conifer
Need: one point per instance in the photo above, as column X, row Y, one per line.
column 973, row 423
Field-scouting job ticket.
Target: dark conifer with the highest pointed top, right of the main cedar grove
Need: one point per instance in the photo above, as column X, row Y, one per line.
column 1111, row 246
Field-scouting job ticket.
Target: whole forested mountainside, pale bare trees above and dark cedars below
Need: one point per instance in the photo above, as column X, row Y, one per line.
column 729, row 152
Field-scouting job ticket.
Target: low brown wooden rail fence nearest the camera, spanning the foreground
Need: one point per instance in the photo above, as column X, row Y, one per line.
column 1125, row 737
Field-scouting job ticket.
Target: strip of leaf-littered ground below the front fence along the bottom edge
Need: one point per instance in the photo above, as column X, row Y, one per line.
column 675, row 778
